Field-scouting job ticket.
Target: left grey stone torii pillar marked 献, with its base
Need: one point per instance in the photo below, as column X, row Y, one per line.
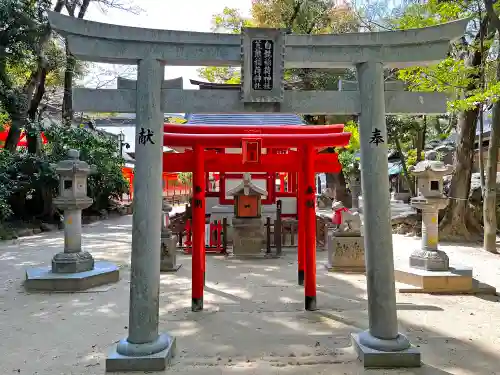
column 145, row 349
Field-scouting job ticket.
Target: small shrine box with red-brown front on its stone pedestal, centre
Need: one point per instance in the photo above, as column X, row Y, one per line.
column 248, row 228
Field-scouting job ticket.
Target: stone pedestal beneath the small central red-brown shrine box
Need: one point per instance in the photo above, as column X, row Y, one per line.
column 248, row 236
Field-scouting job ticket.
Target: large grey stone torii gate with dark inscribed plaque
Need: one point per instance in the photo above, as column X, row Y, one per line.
column 263, row 54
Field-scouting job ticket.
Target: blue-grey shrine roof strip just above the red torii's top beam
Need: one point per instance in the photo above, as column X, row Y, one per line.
column 244, row 119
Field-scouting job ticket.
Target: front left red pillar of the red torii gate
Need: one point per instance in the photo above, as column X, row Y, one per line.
column 198, row 230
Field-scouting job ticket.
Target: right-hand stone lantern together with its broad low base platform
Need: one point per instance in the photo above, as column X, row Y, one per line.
column 429, row 269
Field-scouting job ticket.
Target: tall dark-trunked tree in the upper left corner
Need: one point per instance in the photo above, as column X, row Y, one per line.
column 27, row 56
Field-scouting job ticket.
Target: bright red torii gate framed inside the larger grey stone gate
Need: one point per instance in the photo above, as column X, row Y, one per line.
column 252, row 139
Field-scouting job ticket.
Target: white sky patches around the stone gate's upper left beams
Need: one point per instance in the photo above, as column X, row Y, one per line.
column 191, row 15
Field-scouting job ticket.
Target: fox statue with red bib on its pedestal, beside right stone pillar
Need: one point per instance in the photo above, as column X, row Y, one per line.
column 345, row 243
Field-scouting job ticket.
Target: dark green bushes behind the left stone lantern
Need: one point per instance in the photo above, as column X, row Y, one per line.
column 28, row 182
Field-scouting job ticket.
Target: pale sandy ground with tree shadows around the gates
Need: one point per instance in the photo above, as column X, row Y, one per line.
column 254, row 322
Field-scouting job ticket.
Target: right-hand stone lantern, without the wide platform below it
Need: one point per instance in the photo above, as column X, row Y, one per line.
column 430, row 200
